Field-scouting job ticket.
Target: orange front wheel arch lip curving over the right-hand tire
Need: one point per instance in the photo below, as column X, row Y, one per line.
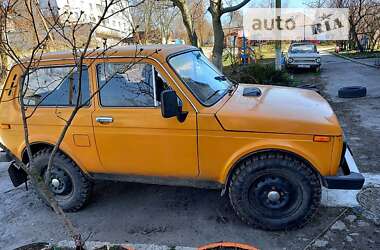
column 263, row 151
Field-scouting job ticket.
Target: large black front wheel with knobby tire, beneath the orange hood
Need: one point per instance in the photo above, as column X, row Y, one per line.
column 297, row 187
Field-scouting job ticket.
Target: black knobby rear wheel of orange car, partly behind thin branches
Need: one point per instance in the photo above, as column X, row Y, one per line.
column 74, row 188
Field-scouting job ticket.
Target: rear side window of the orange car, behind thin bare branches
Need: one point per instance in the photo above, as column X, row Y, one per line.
column 56, row 86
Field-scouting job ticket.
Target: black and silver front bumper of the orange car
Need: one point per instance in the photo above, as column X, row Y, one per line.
column 350, row 179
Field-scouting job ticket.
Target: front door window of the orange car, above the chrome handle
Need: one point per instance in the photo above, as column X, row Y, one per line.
column 126, row 85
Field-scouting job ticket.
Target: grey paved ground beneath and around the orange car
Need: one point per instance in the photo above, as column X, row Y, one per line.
column 174, row 216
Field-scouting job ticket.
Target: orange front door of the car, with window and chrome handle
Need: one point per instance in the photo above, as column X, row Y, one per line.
column 131, row 135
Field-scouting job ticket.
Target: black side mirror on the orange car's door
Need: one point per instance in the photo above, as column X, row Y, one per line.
column 170, row 106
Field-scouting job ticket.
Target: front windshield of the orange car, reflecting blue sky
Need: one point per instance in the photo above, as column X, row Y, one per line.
column 203, row 79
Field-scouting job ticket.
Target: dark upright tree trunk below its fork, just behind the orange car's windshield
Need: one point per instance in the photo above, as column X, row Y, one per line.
column 217, row 51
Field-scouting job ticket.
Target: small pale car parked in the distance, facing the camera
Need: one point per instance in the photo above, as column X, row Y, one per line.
column 303, row 56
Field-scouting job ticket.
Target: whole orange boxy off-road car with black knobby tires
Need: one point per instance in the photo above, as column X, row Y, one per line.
column 172, row 118
